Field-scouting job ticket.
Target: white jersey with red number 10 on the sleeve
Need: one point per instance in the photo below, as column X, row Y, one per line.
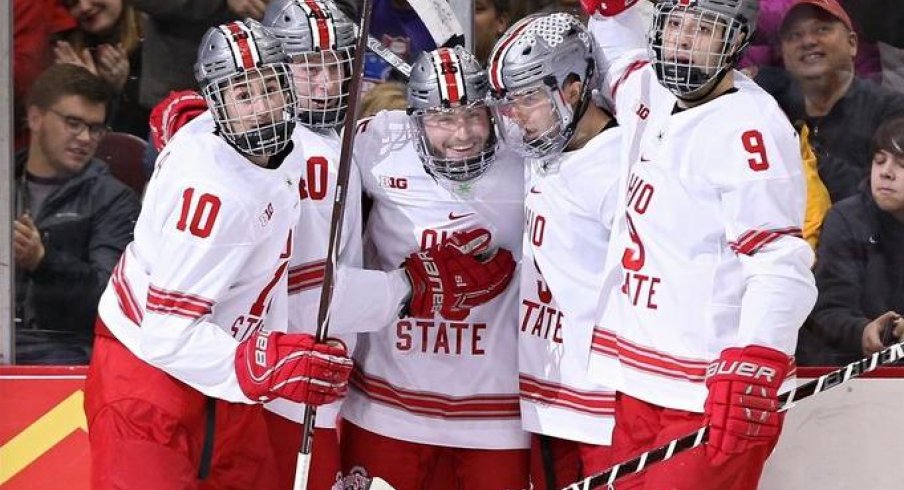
column 209, row 261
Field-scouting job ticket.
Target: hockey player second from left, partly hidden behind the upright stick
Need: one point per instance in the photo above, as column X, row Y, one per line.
column 320, row 39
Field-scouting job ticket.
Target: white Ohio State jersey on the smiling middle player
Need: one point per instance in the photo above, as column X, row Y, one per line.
column 440, row 382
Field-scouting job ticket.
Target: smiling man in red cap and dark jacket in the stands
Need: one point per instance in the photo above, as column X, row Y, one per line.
column 821, row 89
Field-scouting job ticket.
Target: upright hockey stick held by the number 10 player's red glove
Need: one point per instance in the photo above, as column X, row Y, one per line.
column 303, row 464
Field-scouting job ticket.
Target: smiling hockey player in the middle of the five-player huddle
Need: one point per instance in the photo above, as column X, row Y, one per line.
column 443, row 387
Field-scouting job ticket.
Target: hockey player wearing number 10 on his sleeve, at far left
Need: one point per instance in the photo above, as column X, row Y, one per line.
column 181, row 331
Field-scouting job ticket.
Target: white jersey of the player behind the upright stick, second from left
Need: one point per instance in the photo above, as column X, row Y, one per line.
column 362, row 300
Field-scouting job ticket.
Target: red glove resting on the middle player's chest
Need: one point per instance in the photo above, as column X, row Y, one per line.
column 456, row 275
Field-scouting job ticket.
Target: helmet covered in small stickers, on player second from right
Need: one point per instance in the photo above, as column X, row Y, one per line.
column 529, row 66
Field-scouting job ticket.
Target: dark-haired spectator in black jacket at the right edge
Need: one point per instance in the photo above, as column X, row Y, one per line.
column 860, row 263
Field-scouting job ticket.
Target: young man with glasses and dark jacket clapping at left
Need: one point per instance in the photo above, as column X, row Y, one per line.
column 73, row 219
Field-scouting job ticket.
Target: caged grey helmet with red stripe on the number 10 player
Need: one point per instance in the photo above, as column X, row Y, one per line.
column 243, row 74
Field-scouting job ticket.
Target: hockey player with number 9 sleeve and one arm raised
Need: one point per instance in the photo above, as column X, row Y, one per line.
column 708, row 279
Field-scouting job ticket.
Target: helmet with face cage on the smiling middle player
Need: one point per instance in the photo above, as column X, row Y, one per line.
column 447, row 92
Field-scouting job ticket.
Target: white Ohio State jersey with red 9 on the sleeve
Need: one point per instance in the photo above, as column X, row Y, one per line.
column 707, row 252
